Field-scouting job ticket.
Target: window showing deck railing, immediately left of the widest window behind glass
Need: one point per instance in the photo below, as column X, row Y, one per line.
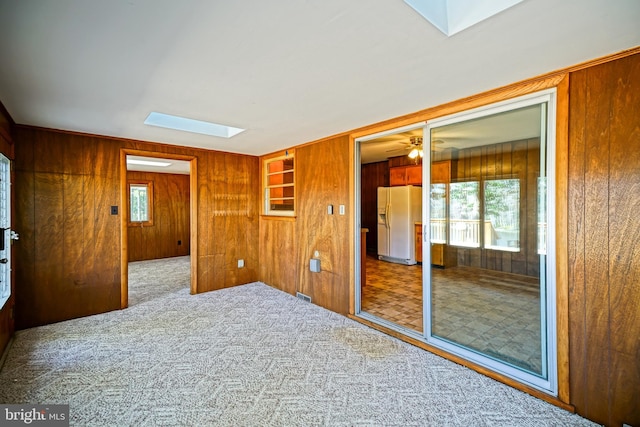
column 464, row 227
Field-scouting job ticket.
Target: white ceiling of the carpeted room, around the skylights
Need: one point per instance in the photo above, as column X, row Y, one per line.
column 289, row 71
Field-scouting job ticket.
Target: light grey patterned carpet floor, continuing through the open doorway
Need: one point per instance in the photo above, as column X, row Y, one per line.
column 247, row 356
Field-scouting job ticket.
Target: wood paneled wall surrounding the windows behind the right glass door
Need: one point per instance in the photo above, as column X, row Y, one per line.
column 516, row 159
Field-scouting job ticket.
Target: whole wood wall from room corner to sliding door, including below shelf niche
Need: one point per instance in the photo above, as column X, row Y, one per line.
column 322, row 179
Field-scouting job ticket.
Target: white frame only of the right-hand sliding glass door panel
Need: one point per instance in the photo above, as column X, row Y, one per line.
column 549, row 384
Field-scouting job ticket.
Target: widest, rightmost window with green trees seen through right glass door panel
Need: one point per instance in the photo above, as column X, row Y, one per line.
column 502, row 214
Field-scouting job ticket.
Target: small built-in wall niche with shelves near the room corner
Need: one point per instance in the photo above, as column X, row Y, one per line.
column 279, row 188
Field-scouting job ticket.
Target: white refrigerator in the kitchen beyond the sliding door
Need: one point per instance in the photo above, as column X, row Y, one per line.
column 399, row 208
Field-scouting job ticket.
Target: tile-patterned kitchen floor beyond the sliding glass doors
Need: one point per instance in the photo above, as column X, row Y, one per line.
column 494, row 313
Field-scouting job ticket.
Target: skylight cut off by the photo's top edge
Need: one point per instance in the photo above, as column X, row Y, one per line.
column 453, row 16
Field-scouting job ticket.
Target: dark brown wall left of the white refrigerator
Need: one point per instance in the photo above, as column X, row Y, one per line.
column 372, row 176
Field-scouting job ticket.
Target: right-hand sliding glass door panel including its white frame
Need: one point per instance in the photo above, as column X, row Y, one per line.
column 487, row 288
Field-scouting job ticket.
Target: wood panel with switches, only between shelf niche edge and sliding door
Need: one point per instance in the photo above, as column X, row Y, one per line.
column 322, row 179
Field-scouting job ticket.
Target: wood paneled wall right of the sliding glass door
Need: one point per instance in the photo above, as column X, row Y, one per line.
column 604, row 241
